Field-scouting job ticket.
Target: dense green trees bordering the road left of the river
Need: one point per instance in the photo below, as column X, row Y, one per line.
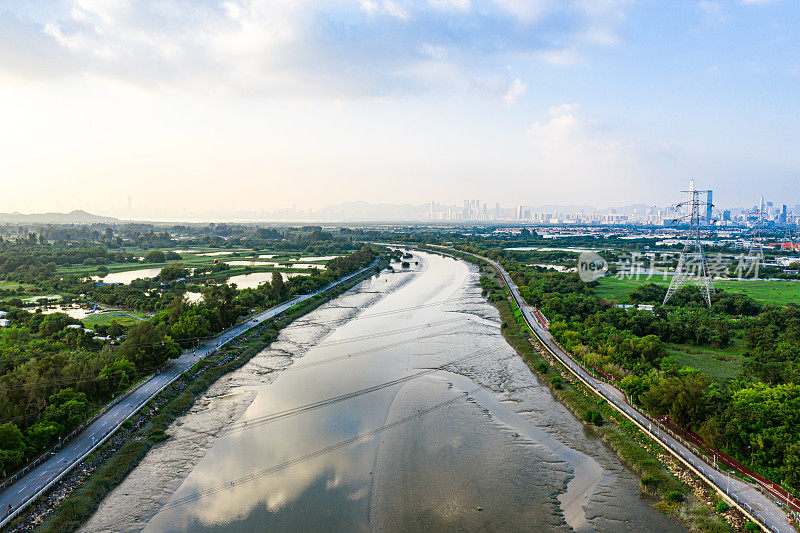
column 54, row 372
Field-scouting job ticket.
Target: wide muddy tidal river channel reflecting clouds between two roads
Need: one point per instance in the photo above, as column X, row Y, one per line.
column 398, row 406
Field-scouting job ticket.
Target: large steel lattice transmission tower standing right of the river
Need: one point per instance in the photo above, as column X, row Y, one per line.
column 692, row 261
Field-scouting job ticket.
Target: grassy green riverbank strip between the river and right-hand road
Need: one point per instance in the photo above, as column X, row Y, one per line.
column 683, row 495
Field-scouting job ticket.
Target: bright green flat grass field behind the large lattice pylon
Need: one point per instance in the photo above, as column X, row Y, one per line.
column 769, row 292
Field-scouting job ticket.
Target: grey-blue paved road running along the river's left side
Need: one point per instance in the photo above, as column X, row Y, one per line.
column 29, row 487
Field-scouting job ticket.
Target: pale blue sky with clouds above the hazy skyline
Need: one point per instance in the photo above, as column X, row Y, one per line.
column 197, row 105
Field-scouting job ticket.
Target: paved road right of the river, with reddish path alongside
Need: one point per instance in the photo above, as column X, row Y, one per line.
column 767, row 512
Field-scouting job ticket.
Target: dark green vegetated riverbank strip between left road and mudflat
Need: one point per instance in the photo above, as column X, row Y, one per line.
column 77, row 496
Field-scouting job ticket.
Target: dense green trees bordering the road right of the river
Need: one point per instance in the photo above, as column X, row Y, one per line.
column 754, row 417
